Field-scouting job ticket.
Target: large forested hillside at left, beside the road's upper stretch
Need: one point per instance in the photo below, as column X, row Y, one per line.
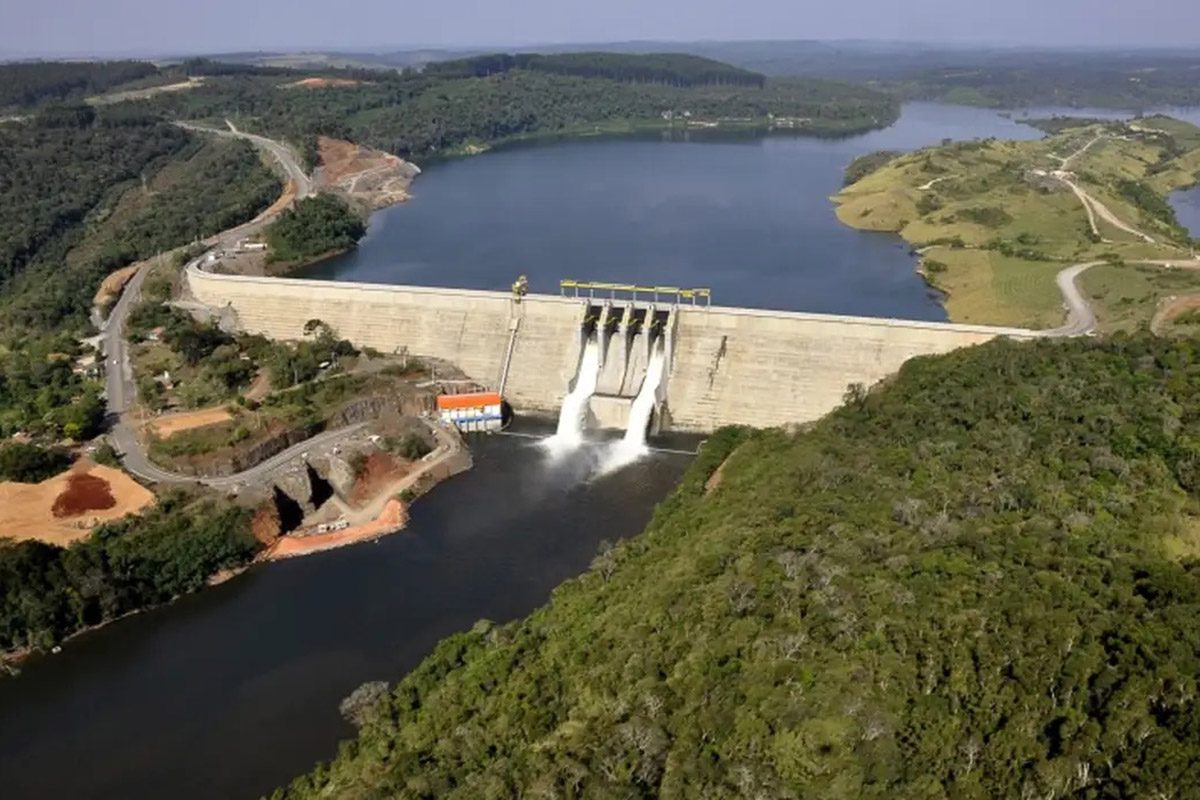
column 85, row 193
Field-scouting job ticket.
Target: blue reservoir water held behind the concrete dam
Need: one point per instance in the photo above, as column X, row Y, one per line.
column 751, row 219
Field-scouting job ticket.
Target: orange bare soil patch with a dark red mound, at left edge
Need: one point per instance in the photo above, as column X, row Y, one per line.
column 68, row 507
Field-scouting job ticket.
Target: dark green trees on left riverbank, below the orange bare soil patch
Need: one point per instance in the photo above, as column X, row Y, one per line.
column 49, row 593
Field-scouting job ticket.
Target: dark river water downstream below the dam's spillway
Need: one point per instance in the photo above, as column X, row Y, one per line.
column 235, row 691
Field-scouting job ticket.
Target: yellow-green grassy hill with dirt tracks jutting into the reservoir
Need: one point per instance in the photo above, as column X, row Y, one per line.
column 995, row 226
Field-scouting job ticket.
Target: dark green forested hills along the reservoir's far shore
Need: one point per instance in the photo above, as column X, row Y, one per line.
column 425, row 116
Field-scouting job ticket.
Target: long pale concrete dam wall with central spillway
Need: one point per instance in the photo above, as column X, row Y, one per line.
column 719, row 366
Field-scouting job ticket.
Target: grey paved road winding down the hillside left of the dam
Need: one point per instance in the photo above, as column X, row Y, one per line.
column 119, row 384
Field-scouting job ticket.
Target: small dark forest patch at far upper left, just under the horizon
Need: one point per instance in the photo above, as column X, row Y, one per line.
column 26, row 85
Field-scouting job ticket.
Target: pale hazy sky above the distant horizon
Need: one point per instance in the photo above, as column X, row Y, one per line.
column 151, row 27
